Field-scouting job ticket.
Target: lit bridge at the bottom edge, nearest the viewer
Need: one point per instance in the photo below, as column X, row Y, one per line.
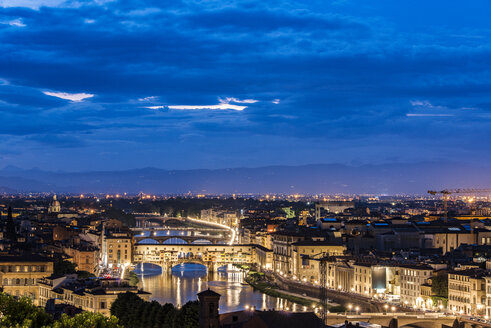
column 396, row 320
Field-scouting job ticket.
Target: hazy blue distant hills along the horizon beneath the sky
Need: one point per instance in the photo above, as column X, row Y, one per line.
column 307, row 179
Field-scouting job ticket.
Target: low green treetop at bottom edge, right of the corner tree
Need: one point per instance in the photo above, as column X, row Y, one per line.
column 86, row 320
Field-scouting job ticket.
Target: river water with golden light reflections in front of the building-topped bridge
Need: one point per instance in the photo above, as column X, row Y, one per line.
column 186, row 280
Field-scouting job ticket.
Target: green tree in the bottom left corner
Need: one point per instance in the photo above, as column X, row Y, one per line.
column 21, row 313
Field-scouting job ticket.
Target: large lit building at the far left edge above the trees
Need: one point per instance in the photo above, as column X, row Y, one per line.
column 19, row 274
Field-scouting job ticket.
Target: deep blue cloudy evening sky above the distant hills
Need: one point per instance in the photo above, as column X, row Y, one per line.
column 105, row 85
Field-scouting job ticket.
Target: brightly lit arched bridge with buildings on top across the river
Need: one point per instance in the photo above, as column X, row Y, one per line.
column 212, row 256
